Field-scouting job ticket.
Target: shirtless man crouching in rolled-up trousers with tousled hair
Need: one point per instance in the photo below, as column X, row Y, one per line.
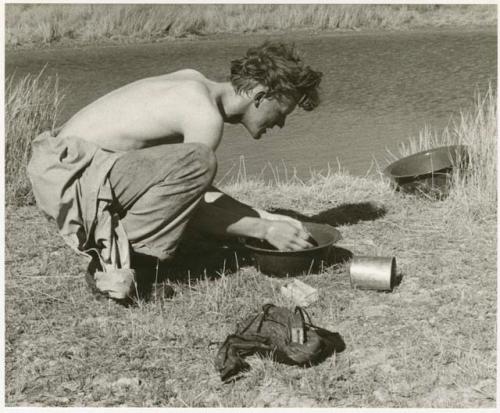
column 127, row 173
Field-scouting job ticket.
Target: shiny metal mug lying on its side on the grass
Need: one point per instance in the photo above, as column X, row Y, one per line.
column 373, row 273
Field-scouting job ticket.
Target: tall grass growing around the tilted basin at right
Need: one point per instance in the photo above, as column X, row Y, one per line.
column 476, row 127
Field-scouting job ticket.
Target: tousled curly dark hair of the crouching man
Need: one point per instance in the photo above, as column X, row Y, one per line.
column 279, row 68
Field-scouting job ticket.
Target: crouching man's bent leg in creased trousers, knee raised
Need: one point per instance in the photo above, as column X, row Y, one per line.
column 157, row 189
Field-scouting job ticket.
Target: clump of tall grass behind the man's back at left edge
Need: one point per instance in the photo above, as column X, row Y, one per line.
column 31, row 106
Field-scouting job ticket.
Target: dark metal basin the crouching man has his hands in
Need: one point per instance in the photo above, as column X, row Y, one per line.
column 271, row 261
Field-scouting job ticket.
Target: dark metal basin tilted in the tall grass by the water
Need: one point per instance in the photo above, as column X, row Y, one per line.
column 427, row 171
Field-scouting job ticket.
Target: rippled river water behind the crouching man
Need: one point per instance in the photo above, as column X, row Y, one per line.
column 378, row 90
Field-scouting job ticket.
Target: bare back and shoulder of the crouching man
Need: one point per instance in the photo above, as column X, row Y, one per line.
column 177, row 107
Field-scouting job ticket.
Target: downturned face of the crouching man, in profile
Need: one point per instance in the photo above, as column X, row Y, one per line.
column 266, row 113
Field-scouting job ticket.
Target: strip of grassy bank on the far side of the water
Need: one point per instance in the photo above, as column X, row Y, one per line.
column 50, row 24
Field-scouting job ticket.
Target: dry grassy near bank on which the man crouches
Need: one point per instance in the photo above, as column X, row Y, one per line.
column 429, row 343
